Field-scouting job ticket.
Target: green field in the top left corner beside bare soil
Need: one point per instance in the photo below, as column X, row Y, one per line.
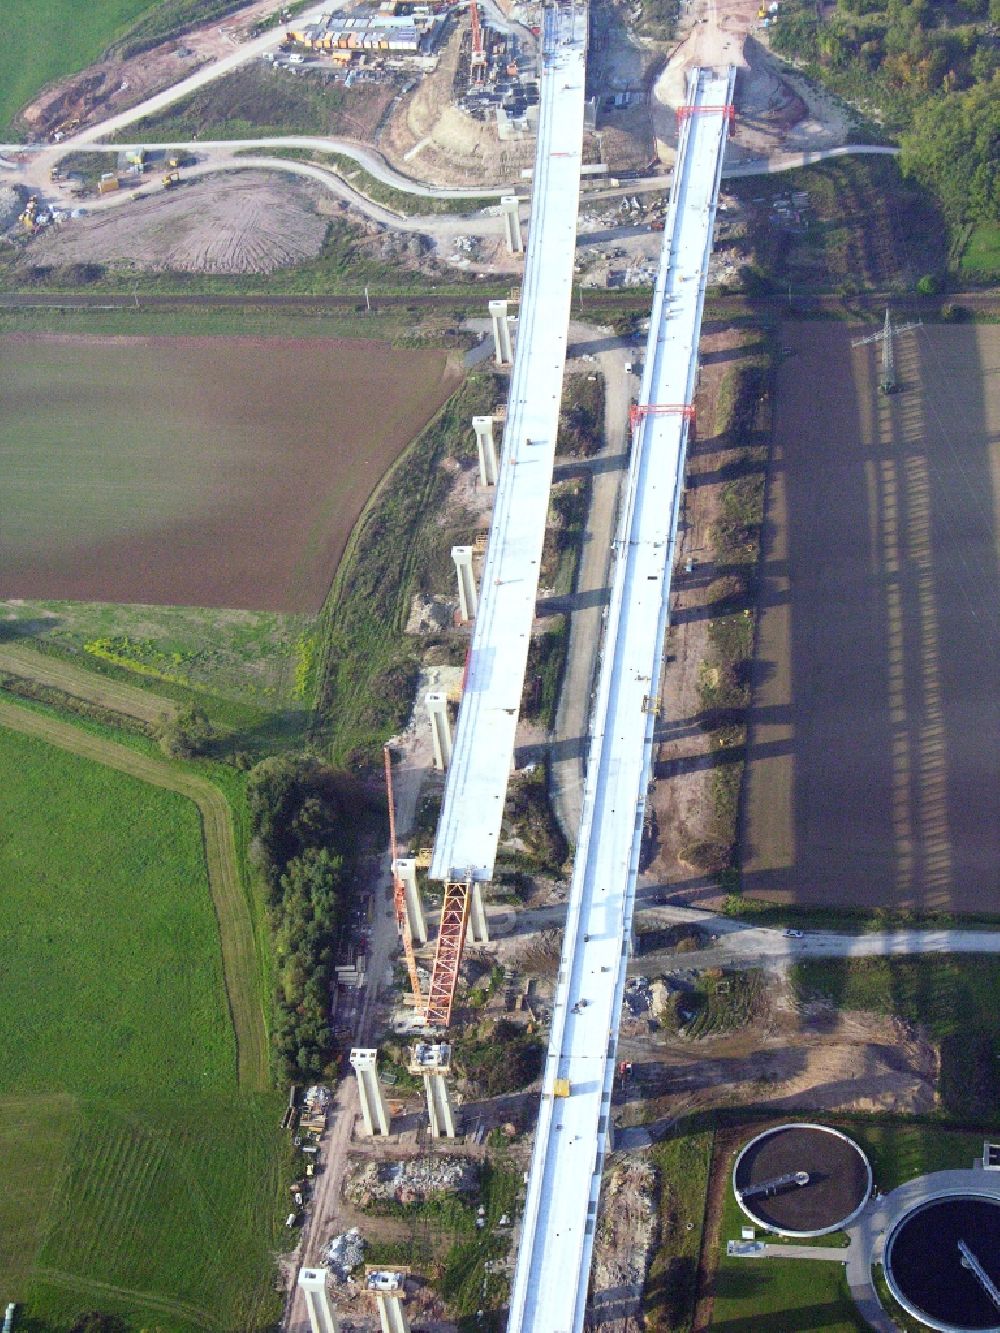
column 49, row 39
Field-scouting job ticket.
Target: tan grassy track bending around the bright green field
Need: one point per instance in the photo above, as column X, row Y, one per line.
column 235, row 927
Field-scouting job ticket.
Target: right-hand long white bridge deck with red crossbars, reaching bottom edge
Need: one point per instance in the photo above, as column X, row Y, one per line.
column 554, row 1262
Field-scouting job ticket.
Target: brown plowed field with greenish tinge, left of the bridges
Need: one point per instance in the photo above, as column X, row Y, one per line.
column 213, row 473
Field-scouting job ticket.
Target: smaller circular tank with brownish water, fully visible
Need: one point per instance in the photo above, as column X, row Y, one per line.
column 802, row 1180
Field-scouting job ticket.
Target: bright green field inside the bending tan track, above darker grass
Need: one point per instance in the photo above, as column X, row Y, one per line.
column 106, row 900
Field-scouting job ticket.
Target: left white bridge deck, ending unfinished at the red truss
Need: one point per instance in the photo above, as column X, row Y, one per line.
column 483, row 751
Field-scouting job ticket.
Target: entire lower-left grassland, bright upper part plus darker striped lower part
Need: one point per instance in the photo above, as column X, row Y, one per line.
column 134, row 1178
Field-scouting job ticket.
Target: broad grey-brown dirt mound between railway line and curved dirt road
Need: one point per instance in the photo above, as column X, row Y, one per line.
column 249, row 223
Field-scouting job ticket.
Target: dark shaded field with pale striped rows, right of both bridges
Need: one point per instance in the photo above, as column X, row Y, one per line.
column 881, row 630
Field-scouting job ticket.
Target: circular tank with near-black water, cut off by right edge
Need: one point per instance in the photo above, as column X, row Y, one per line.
column 943, row 1259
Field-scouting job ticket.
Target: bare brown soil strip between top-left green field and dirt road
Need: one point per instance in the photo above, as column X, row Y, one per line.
column 114, row 86
